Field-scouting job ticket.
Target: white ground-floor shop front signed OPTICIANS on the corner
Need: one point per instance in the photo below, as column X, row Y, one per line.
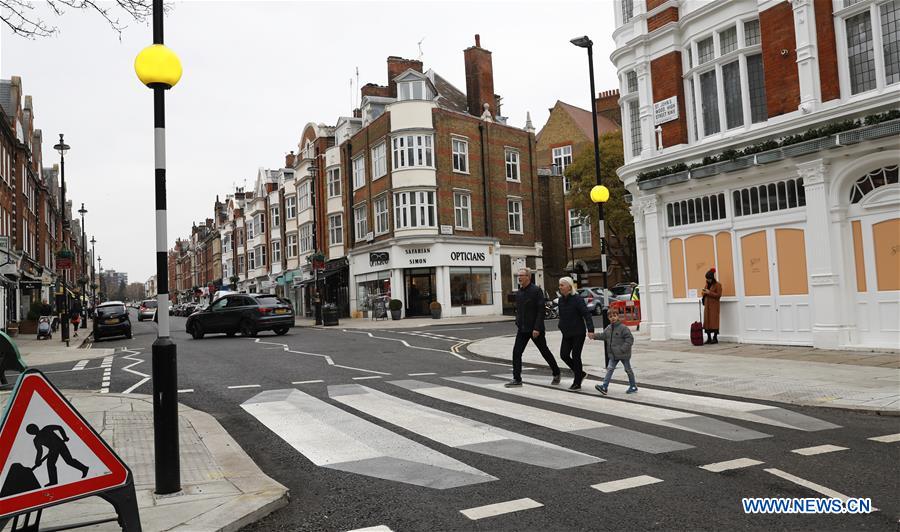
column 460, row 274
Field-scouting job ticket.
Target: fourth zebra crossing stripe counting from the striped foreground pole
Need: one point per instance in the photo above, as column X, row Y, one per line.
column 633, row 411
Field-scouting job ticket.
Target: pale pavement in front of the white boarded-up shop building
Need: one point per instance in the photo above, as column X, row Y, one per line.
column 795, row 375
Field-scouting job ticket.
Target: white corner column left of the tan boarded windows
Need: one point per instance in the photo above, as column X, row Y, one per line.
column 655, row 294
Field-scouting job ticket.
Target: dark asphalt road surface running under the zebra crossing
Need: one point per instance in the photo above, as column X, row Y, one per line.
column 219, row 375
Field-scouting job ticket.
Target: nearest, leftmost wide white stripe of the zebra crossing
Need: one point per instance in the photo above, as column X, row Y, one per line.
column 330, row 437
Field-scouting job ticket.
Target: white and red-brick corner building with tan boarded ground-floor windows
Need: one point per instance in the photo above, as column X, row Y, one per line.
column 761, row 139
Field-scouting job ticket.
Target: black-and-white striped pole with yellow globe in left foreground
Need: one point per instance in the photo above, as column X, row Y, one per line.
column 159, row 69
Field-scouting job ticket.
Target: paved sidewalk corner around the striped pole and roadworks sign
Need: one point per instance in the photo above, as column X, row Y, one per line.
column 222, row 487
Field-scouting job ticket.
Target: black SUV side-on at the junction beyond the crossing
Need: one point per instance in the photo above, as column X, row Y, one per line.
column 245, row 313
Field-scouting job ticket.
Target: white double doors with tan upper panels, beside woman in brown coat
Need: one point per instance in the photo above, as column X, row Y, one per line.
column 775, row 307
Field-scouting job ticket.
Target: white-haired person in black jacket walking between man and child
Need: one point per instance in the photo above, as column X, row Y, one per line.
column 574, row 321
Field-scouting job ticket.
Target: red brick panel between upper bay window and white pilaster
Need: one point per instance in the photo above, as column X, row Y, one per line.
column 782, row 78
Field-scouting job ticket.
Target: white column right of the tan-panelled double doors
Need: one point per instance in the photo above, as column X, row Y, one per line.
column 826, row 304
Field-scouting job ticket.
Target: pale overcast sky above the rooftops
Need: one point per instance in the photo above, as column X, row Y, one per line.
column 254, row 74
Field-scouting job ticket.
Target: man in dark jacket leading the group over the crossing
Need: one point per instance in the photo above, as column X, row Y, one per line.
column 530, row 326
